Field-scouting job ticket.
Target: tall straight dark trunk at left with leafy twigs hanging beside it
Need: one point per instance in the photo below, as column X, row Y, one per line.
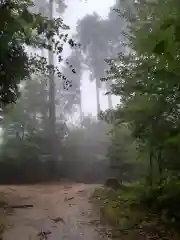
column 47, row 10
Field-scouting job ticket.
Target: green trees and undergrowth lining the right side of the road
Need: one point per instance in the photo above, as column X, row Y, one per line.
column 146, row 78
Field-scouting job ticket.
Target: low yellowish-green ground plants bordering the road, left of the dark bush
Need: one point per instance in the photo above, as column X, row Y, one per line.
column 130, row 220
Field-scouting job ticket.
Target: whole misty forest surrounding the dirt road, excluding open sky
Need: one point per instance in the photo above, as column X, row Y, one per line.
column 134, row 54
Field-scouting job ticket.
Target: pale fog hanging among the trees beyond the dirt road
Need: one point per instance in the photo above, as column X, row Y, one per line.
column 54, row 131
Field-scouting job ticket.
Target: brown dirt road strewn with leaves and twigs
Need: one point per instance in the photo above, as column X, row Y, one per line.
column 60, row 212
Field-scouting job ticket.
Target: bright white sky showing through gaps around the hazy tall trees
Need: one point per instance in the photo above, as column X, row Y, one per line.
column 77, row 10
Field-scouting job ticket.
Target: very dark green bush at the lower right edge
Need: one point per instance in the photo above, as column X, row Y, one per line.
column 163, row 199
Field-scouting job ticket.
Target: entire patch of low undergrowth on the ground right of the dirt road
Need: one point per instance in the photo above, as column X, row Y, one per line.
column 137, row 212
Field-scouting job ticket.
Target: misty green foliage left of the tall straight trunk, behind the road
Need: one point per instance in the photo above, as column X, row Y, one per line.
column 26, row 137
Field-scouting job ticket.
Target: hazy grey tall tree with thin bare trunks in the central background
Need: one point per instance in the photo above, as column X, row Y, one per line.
column 101, row 39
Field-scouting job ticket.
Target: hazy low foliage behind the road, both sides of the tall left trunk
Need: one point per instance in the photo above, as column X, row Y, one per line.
column 80, row 153
